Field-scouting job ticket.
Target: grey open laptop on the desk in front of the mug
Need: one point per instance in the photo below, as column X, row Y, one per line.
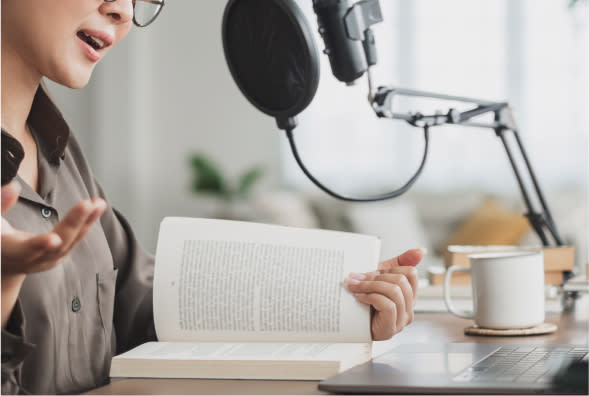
column 462, row 368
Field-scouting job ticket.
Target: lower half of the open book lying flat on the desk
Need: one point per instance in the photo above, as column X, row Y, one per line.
column 248, row 360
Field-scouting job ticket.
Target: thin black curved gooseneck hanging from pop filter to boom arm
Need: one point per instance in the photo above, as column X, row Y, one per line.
column 391, row 194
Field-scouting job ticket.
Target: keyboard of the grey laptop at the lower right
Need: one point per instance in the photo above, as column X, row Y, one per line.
column 534, row 364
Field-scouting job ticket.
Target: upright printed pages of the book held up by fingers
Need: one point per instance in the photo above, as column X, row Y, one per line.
column 220, row 280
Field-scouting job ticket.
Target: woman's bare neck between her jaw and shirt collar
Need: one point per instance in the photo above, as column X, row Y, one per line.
column 19, row 84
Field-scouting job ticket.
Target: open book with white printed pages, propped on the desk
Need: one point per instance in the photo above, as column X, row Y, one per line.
column 243, row 300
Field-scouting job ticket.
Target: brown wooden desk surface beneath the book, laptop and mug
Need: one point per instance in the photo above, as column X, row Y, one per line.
column 427, row 328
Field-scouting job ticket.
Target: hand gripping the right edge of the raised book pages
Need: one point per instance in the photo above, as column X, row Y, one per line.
column 391, row 292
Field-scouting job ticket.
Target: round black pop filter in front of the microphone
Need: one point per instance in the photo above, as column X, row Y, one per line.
column 271, row 54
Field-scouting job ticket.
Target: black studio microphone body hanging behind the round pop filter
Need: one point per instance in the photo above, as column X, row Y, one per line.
column 349, row 41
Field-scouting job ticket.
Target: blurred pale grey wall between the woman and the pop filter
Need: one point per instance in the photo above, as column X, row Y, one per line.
column 161, row 94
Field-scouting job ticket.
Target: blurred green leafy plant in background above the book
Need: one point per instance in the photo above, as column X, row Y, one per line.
column 208, row 178
